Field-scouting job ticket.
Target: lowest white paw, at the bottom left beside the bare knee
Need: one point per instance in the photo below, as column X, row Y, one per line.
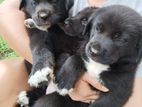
column 23, row 100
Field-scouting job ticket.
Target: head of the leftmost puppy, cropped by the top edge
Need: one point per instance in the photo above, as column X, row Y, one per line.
column 46, row 13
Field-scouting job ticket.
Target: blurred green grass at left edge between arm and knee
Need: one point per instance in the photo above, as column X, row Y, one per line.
column 5, row 50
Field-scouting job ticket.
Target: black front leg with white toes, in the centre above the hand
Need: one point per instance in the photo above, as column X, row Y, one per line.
column 68, row 74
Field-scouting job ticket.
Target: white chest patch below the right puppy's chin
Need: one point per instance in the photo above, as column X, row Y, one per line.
column 95, row 69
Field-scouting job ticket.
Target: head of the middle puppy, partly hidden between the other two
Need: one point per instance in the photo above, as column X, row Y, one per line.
column 74, row 26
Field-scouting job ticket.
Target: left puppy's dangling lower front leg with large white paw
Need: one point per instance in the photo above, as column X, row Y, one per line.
column 42, row 68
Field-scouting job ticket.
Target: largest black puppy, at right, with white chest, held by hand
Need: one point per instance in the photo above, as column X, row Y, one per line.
column 112, row 55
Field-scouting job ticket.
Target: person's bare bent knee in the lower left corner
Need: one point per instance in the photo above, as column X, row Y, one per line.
column 13, row 79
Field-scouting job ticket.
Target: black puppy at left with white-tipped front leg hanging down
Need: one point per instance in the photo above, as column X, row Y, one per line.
column 44, row 15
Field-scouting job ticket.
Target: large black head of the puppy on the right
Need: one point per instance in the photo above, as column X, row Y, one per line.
column 115, row 34
